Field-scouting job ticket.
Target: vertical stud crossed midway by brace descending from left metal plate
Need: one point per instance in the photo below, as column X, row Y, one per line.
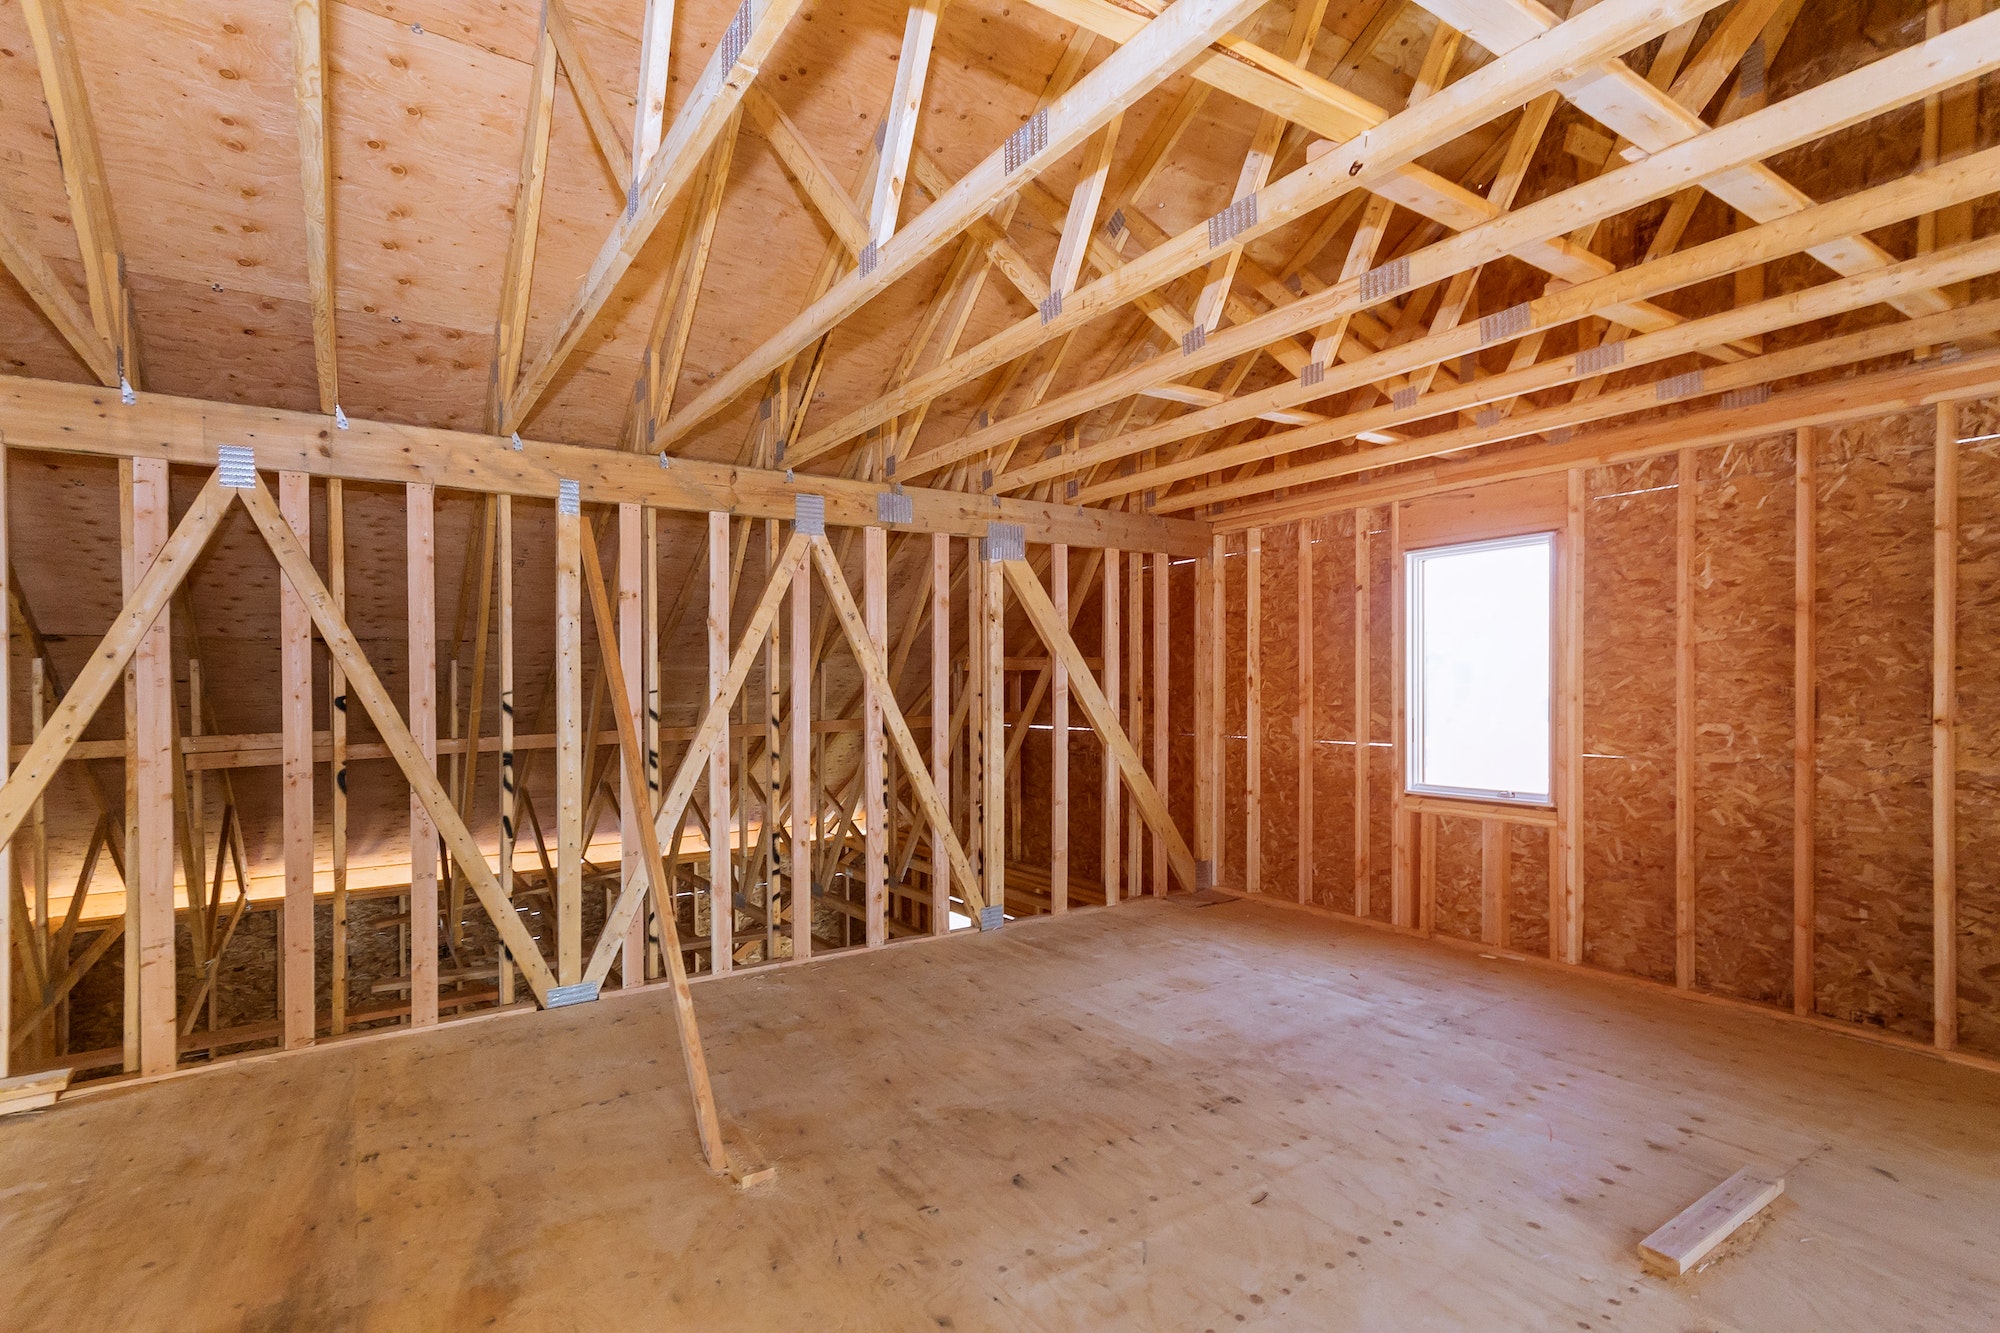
column 423, row 559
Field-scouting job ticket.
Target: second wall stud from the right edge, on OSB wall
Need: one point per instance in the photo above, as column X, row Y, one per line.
column 1805, row 718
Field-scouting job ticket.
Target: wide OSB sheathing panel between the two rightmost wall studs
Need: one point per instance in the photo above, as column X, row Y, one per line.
column 1875, row 663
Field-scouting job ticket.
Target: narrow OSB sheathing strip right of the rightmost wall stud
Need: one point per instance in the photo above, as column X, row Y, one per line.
column 1979, row 732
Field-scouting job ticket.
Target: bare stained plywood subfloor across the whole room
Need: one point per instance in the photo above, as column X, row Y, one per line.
column 1149, row 1118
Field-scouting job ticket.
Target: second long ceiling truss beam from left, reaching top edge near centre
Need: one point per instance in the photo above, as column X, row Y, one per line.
column 1049, row 137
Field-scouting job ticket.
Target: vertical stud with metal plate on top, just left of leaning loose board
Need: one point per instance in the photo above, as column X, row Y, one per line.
column 571, row 742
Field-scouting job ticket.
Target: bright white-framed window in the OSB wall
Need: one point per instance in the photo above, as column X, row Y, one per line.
column 1481, row 670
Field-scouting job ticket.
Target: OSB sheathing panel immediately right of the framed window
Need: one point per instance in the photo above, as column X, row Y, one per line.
column 1629, row 718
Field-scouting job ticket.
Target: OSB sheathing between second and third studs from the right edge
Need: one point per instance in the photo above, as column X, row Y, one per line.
column 1743, row 710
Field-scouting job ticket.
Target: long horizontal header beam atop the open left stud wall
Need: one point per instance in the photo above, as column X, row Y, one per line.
column 87, row 419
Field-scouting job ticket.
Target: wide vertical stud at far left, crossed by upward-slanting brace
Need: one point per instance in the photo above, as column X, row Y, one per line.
column 151, row 856
